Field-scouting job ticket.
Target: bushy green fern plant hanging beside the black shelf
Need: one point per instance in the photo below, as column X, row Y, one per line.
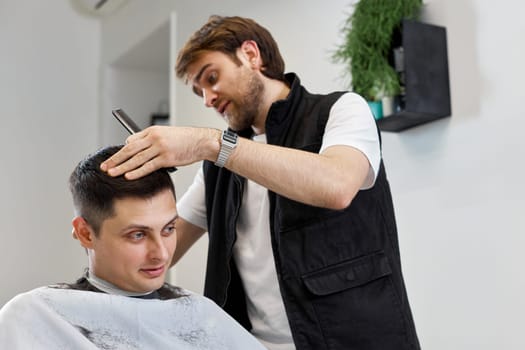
column 367, row 43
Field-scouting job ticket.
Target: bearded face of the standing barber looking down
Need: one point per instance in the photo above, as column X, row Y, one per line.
column 234, row 91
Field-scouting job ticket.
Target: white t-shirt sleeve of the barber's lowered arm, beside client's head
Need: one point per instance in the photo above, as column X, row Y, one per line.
column 192, row 206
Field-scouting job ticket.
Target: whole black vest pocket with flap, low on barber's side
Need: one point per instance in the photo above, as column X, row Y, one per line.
column 355, row 305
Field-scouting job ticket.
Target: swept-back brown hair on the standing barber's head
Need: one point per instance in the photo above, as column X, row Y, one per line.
column 226, row 35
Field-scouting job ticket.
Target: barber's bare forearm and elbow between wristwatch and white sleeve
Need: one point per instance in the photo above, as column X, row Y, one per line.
column 330, row 179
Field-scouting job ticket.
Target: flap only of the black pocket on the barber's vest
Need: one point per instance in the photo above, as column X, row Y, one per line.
column 348, row 274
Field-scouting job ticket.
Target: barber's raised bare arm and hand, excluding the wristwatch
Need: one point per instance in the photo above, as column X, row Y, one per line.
column 330, row 179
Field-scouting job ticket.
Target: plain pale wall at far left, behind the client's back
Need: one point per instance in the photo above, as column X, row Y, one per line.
column 48, row 107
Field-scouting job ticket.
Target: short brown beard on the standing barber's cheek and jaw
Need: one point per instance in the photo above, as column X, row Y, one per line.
column 248, row 105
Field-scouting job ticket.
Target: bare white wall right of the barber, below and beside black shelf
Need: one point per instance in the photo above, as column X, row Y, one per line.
column 458, row 190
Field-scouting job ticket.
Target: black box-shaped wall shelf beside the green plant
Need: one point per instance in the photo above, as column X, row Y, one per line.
column 425, row 75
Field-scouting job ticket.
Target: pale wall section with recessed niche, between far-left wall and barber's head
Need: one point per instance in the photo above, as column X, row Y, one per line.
column 135, row 67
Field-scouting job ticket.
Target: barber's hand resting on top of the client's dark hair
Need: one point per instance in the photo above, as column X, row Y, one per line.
column 162, row 147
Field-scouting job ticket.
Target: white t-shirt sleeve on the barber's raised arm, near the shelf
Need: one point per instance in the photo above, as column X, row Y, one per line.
column 351, row 123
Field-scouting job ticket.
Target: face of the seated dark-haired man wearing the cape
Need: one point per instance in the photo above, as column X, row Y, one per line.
column 134, row 247
